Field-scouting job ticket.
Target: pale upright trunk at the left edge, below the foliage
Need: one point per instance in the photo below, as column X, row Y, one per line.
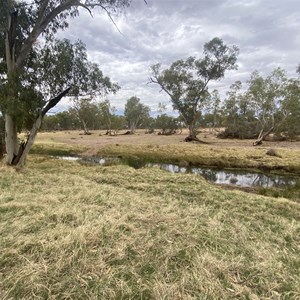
column 11, row 139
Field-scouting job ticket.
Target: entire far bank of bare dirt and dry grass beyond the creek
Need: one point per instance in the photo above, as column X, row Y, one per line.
column 172, row 149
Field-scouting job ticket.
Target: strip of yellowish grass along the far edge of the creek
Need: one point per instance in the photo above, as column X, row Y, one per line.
column 206, row 155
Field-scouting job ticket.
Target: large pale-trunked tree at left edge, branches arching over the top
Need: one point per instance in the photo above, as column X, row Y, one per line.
column 22, row 23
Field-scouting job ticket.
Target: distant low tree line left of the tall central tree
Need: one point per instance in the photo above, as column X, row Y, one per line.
column 88, row 115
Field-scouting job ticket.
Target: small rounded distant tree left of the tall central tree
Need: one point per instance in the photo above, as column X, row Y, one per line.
column 135, row 113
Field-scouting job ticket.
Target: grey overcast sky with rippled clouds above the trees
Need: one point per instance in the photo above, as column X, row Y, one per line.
column 267, row 33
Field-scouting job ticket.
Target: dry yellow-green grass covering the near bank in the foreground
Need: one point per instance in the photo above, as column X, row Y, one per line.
column 92, row 232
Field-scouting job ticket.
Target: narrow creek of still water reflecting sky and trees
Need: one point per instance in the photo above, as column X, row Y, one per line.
column 239, row 178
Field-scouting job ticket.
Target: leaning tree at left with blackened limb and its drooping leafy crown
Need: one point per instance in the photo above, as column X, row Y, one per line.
column 57, row 66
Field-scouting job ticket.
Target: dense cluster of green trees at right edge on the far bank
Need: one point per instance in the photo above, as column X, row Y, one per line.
column 269, row 105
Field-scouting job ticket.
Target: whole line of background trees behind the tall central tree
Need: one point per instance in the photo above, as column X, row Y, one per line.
column 253, row 110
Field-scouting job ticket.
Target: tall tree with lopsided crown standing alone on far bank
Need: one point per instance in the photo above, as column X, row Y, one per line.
column 186, row 81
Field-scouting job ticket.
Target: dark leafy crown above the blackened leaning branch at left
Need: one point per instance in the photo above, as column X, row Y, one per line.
column 61, row 64
